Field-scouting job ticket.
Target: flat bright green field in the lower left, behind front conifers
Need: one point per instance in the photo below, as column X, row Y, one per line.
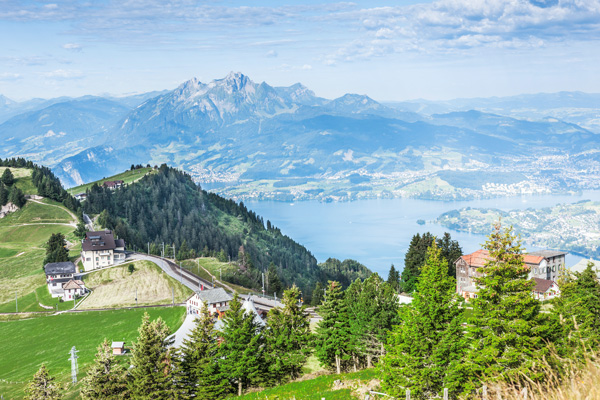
column 26, row 344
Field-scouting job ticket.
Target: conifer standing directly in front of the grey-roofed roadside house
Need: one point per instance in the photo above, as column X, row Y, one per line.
column 198, row 373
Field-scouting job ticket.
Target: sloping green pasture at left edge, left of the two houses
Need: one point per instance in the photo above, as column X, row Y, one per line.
column 22, row 252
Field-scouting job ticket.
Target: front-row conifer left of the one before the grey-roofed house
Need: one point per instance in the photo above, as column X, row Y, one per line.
column 151, row 375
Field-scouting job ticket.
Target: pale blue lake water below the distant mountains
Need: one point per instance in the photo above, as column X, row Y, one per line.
column 377, row 232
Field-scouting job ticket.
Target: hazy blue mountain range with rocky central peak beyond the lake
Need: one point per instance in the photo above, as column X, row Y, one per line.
column 252, row 140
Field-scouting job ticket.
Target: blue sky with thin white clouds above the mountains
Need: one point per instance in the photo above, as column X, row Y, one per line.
column 389, row 50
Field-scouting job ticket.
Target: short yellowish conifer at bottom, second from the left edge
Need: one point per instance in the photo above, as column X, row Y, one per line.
column 106, row 378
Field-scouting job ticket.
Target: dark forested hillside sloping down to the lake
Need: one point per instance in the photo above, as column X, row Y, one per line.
column 169, row 207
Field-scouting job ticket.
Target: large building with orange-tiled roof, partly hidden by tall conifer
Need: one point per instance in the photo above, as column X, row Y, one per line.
column 542, row 265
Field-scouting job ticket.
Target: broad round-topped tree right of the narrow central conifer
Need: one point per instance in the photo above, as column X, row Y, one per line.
column 373, row 311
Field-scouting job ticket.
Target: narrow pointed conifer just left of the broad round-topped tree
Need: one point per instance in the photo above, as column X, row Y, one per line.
column 333, row 335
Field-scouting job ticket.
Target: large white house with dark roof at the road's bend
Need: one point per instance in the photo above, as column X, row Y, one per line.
column 100, row 249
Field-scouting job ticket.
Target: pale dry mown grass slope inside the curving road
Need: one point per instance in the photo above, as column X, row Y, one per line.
column 115, row 287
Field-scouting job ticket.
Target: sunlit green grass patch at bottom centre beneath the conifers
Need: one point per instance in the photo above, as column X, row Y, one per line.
column 320, row 387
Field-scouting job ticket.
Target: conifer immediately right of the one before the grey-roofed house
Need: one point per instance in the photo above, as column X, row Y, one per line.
column 241, row 350
